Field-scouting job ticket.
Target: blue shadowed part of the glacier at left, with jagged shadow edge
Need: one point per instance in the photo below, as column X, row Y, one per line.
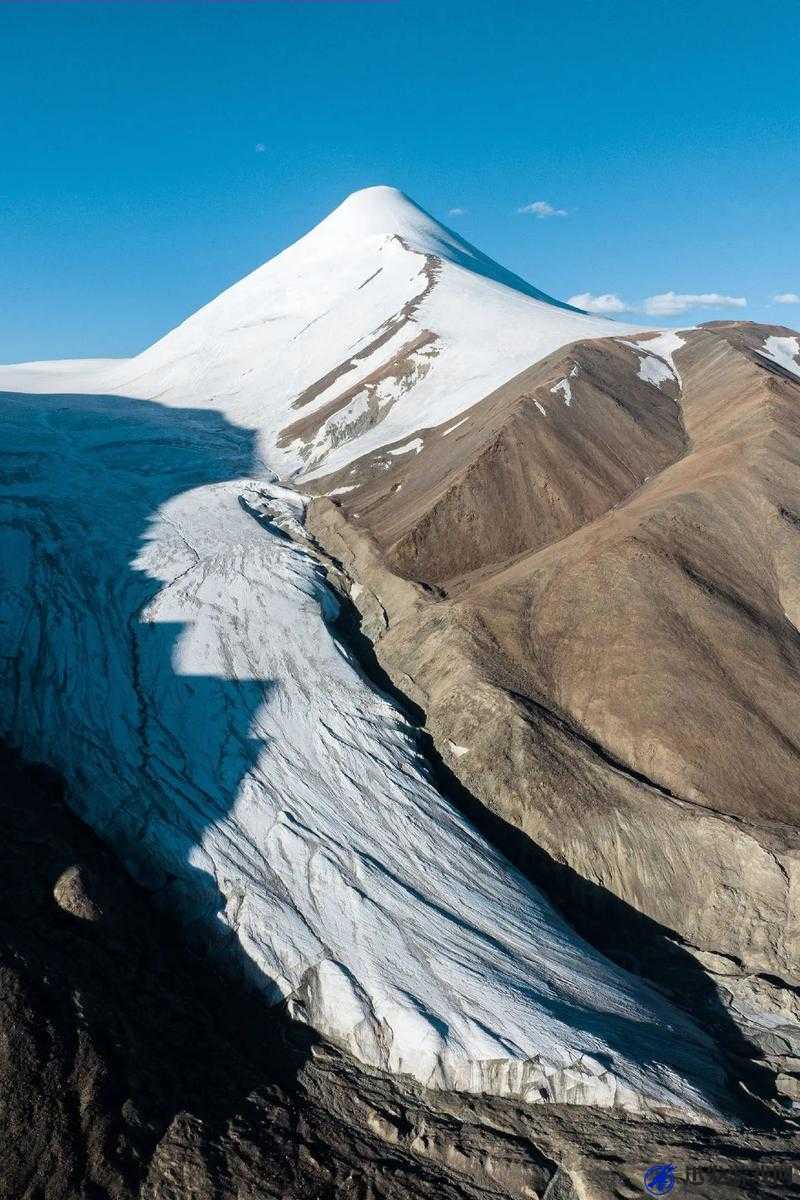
column 87, row 685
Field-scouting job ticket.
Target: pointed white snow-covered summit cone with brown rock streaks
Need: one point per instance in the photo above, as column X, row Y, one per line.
column 347, row 302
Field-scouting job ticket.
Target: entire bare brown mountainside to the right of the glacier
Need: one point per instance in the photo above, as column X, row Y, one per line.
column 622, row 686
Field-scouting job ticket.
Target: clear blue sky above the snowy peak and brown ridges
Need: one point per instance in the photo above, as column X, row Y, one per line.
column 152, row 154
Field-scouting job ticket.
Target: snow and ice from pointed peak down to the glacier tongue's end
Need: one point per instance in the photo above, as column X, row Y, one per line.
column 173, row 656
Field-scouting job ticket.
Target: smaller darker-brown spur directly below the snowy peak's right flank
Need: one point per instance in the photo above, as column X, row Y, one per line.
column 551, row 451
